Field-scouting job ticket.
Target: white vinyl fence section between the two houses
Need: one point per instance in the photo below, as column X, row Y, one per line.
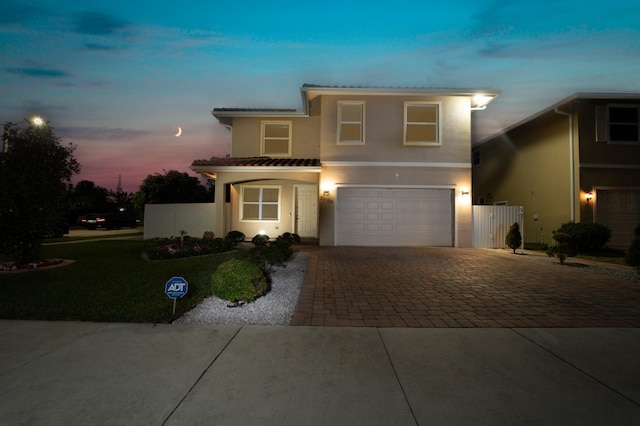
column 491, row 224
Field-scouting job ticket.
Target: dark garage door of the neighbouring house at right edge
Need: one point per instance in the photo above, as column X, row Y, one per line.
column 620, row 211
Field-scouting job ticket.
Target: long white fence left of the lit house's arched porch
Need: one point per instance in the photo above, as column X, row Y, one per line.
column 167, row 220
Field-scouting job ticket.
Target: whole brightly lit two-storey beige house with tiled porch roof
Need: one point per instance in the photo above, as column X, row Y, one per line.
column 356, row 166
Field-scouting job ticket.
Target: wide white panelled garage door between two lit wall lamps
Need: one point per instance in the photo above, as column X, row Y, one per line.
column 394, row 217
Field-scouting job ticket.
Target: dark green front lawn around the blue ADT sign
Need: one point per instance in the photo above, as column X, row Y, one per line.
column 109, row 281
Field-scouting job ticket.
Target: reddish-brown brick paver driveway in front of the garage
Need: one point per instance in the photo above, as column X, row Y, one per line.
column 456, row 287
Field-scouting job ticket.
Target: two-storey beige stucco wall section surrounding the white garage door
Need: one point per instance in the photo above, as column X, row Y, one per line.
column 345, row 165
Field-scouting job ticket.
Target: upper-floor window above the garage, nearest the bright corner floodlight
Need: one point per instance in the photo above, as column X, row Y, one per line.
column 421, row 123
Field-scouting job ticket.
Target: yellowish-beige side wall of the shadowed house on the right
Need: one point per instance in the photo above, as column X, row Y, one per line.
column 530, row 167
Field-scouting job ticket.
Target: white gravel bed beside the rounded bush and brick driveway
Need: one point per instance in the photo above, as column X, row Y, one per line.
column 274, row 308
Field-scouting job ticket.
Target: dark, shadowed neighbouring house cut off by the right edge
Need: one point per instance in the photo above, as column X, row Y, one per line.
column 578, row 160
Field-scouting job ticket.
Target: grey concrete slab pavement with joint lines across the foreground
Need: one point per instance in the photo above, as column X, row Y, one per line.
column 67, row 373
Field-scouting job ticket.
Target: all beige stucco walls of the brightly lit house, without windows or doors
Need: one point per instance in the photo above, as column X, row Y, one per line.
column 397, row 165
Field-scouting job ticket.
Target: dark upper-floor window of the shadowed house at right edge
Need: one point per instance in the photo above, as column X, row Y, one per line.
column 618, row 124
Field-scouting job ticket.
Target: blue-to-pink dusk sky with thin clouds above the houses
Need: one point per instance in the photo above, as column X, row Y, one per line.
column 117, row 78
